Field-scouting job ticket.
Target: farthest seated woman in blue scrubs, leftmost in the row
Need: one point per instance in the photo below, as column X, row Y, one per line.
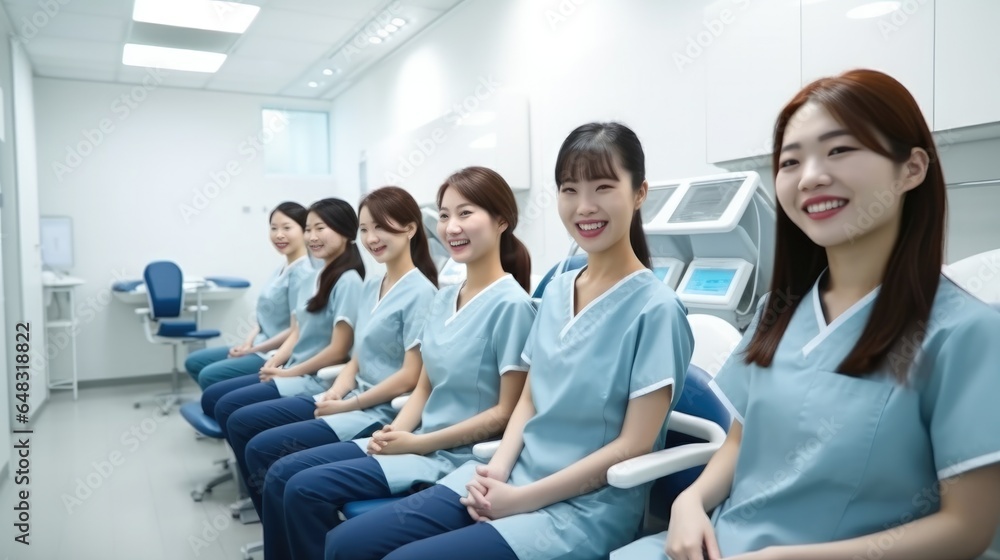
column 280, row 295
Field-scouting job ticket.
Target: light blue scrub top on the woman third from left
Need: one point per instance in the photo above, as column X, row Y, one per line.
column 387, row 328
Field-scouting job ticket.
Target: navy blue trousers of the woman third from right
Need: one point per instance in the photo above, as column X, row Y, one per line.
column 303, row 494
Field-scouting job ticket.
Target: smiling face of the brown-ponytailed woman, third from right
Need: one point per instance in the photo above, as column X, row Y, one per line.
column 469, row 231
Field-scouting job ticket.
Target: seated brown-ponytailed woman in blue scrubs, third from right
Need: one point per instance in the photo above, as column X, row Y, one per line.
column 473, row 374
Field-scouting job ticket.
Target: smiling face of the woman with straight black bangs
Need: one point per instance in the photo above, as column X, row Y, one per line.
column 598, row 212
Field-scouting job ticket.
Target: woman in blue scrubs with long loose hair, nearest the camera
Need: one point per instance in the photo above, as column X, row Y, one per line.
column 864, row 394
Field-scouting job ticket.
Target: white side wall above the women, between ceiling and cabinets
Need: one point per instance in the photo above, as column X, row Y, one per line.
column 576, row 63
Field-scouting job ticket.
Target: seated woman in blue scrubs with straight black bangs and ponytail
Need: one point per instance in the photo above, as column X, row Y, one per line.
column 607, row 354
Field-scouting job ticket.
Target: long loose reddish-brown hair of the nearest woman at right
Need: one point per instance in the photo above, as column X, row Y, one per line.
column 869, row 104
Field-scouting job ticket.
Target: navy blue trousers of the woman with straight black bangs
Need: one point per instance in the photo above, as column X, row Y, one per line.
column 428, row 524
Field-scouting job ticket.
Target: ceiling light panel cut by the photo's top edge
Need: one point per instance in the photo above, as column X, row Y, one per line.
column 211, row 15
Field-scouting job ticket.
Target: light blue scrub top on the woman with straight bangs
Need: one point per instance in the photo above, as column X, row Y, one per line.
column 630, row 341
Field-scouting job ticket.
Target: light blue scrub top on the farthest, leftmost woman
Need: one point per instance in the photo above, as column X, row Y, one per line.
column 284, row 291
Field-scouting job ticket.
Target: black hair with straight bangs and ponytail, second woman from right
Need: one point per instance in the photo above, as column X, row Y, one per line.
column 589, row 153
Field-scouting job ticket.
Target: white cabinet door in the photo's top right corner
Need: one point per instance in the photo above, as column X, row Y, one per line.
column 966, row 63
